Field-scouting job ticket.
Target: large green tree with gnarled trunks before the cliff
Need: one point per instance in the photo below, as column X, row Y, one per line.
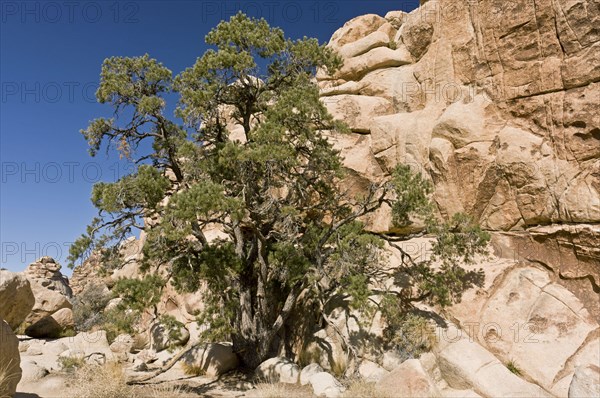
column 250, row 158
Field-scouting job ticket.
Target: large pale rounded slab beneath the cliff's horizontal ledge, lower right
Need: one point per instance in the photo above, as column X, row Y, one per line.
column 527, row 314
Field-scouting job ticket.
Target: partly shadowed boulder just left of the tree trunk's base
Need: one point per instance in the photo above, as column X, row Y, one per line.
column 214, row 359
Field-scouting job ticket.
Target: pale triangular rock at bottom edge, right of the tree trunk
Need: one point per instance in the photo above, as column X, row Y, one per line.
column 407, row 380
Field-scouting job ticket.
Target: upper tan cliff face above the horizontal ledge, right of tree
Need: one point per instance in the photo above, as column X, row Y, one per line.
column 495, row 102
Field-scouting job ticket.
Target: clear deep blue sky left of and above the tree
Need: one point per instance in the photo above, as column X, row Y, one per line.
column 50, row 57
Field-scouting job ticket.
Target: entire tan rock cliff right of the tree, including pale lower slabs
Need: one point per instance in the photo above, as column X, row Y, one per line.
column 496, row 104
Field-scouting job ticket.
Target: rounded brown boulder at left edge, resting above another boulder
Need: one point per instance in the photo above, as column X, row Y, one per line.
column 16, row 297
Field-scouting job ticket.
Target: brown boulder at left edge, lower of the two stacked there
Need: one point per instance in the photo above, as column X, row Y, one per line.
column 10, row 360
